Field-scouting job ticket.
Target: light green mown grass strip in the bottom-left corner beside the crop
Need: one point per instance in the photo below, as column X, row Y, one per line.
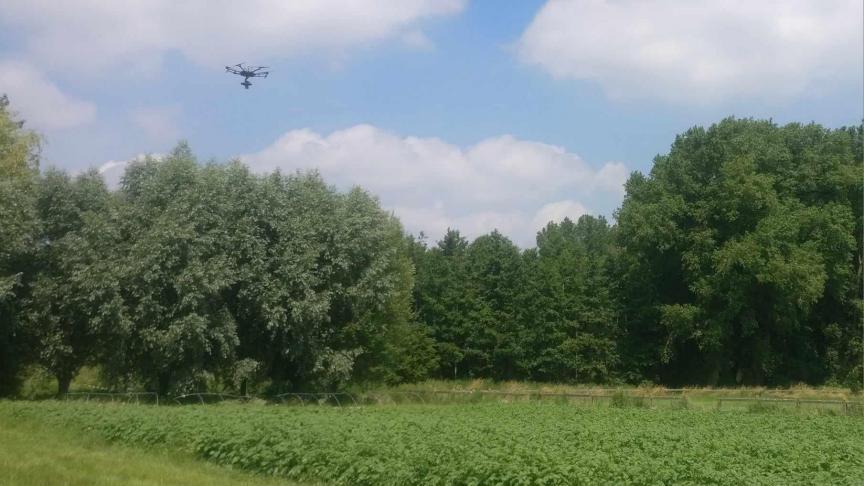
column 34, row 454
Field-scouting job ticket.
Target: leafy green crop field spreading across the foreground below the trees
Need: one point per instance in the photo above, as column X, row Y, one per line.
column 481, row 443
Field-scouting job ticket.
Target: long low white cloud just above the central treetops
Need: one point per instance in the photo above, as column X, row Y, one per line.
column 500, row 182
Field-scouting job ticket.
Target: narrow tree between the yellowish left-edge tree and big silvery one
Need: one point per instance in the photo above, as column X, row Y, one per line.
column 72, row 307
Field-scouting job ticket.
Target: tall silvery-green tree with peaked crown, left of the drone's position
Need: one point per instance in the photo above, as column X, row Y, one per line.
column 173, row 267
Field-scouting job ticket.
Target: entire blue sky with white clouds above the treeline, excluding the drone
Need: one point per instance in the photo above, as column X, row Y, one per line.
column 468, row 114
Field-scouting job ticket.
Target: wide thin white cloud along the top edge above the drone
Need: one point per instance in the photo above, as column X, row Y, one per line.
column 84, row 35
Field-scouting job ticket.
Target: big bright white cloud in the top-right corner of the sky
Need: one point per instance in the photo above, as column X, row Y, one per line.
column 699, row 51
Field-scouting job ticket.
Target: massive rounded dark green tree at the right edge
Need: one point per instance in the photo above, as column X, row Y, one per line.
column 733, row 244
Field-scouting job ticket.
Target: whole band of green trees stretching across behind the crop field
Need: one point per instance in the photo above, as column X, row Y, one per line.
column 736, row 260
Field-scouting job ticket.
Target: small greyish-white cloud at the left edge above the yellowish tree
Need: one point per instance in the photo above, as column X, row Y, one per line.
column 40, row 102
